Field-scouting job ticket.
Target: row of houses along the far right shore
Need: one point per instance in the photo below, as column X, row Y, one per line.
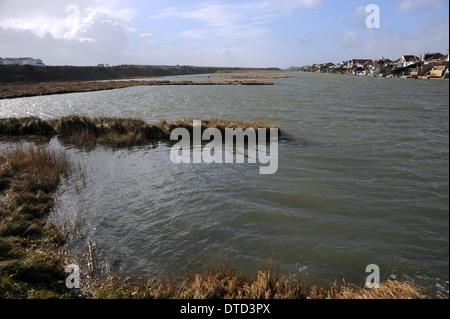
column 429, row 65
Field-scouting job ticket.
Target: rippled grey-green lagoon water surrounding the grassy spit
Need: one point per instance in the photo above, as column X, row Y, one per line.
column 369, row 186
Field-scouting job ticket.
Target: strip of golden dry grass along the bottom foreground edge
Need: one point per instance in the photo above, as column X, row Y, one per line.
column 227, row 283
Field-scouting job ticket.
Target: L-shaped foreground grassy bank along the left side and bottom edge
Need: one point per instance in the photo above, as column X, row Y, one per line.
column 32, row 256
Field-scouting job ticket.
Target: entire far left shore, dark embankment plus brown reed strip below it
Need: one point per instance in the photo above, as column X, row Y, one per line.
column 28, row 80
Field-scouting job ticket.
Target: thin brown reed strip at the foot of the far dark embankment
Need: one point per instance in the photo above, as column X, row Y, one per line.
column 49, row 88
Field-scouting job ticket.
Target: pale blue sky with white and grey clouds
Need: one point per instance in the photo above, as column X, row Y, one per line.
column 231, row 33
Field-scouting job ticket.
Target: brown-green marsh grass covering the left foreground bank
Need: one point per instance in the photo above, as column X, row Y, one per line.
column 30, row 252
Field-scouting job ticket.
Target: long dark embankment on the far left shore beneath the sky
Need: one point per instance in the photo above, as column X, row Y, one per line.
column 34, row 74
